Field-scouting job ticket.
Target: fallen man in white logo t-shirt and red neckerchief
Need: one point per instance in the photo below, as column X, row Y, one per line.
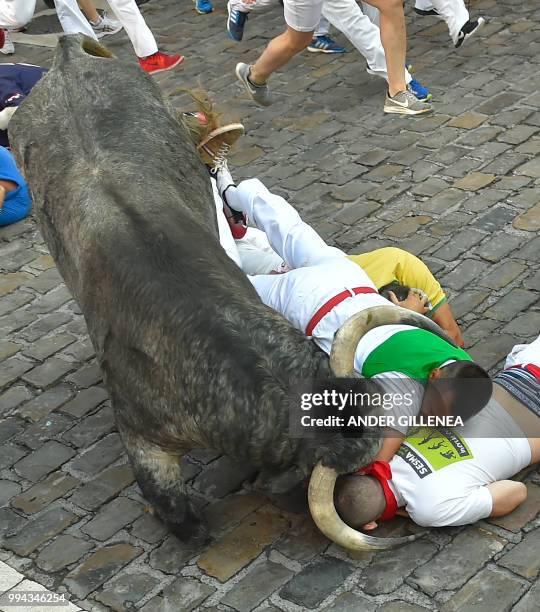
column 455, row 477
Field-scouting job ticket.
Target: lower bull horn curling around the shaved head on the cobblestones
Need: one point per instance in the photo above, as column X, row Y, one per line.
column 323, row 511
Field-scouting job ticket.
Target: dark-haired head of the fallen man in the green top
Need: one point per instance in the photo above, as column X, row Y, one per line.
column 459, row 388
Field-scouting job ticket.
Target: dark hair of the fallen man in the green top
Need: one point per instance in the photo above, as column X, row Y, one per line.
column 470, row 385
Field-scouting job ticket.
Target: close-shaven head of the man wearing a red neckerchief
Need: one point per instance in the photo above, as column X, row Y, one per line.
column 359, row 500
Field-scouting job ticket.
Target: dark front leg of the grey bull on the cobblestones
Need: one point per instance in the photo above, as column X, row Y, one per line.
column 159, row 475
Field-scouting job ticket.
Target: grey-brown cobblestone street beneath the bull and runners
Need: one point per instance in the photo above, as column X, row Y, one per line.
column 460, row 188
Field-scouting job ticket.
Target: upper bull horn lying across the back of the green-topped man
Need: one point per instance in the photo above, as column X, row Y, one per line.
column 349, row 334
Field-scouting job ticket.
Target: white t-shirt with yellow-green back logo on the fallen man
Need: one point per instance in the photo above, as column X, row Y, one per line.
column 439, row 475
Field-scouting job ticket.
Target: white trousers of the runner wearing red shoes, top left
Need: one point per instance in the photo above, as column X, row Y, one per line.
column 126, row 11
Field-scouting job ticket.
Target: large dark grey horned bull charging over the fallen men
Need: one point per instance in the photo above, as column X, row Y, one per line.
column 190, row 356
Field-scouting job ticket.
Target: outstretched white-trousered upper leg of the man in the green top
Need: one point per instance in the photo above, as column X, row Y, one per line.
column 293, row 239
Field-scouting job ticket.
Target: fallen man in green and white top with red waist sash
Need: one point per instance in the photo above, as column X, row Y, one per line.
column 323, row 288
